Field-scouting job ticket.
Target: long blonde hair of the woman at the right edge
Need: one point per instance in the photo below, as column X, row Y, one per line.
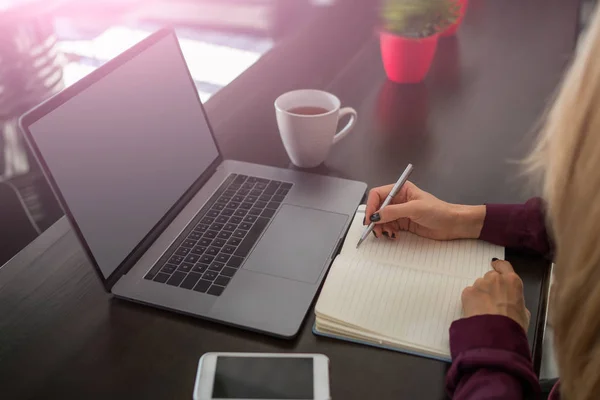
column 568, row 156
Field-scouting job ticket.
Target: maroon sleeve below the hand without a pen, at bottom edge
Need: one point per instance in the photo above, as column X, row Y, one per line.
column 490, row 360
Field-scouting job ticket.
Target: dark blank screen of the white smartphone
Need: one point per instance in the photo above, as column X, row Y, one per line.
column 263, row 378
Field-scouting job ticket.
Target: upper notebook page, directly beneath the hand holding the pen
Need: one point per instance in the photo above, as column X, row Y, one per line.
column 464, row 258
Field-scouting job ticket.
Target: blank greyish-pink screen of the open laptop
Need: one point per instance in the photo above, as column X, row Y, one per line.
column 126, row 148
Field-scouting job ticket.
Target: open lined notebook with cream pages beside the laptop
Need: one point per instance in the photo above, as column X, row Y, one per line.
column 401, row 294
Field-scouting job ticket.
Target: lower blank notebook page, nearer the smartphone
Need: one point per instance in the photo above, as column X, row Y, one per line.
column 411, row 306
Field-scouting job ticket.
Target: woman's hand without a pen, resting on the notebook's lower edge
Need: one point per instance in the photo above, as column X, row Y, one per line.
column 499, row 292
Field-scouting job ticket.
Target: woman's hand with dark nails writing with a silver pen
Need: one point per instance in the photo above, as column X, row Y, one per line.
column 421, row 213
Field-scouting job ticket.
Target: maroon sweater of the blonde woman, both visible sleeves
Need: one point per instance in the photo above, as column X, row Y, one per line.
column 490, row 353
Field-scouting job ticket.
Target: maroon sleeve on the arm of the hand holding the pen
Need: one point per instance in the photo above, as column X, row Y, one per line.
column 518, row 225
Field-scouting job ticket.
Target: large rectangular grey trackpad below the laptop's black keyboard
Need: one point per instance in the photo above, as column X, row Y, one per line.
column 298, row 243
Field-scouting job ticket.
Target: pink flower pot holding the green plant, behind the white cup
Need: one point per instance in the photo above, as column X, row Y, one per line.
column 407, row 60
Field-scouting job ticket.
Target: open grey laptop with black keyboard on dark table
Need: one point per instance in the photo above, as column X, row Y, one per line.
column 164, row 219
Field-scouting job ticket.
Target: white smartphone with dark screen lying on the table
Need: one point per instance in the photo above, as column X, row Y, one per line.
column 262, row 376
